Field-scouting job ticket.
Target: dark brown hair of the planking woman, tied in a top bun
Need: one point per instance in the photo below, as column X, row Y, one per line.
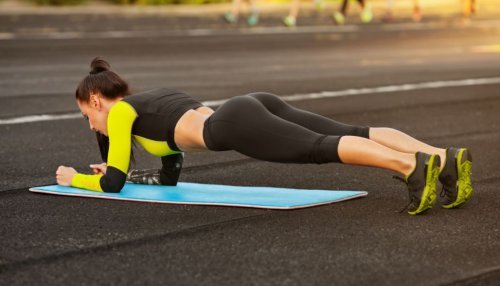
column 103, row 80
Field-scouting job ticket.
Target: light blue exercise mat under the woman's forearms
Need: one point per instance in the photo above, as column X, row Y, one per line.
column 219, row 195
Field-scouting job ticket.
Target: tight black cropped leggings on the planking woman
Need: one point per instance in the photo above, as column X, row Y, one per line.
column 263, row 126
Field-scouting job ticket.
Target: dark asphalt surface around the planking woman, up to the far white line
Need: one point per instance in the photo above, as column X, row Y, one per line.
column 54, row 240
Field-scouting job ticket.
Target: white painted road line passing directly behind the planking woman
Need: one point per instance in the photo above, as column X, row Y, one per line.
column 295, row 97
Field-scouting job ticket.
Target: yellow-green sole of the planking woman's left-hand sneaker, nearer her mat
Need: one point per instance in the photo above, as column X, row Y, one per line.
column 429, row 196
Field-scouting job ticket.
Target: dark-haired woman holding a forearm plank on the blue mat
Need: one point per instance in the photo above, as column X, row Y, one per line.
column 260, row 125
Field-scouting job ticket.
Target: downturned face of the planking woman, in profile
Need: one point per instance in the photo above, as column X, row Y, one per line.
column 95, row 113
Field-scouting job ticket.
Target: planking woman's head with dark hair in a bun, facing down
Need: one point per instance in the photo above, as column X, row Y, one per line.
column 96, row 91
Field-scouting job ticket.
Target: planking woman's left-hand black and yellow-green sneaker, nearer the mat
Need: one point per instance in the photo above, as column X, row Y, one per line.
column 422, row 183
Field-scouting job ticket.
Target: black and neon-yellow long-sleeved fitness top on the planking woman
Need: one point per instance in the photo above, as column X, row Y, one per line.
column 149, row 118
